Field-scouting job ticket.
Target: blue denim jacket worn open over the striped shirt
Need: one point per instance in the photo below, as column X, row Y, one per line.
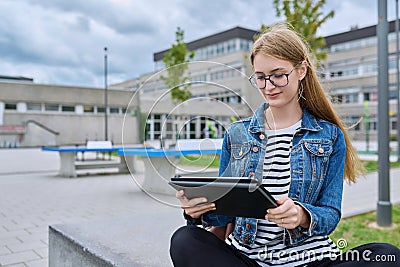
column 317, row 162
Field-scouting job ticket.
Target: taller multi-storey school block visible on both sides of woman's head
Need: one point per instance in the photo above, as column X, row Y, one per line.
column 219, row 72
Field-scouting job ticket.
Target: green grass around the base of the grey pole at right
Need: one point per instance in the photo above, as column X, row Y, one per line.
column 356, row 230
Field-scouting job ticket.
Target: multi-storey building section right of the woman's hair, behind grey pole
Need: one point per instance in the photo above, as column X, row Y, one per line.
column 350, row 76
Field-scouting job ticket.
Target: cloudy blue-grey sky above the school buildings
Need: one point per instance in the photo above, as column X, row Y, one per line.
column 62, row 42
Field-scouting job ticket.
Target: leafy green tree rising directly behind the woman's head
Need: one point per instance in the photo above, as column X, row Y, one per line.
column 306, row 17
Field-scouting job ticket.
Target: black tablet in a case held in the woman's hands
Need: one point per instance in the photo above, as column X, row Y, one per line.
column 233, row 196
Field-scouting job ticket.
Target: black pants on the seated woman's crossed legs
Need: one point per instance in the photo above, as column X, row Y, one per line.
column 192, row 246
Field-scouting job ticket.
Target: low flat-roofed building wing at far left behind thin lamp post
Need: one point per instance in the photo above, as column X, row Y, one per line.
column 41, row 115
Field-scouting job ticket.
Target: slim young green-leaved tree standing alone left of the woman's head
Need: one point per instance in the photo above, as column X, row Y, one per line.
column 176, row 61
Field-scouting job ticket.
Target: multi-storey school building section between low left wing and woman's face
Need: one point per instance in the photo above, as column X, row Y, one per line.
column 218, row 78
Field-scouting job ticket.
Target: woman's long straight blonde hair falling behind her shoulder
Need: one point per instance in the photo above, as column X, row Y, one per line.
column 282, row 42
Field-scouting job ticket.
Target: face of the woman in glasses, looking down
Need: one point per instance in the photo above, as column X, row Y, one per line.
column 278, row 96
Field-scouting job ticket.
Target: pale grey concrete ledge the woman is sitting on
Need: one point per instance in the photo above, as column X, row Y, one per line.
column 141, row 240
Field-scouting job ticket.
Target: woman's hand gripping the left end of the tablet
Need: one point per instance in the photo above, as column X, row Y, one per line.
column 193, row 207
